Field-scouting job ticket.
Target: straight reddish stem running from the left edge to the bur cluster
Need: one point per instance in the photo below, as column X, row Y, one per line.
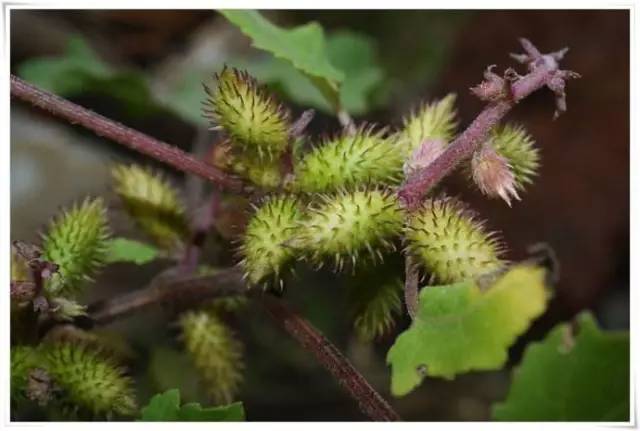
column 121, row 134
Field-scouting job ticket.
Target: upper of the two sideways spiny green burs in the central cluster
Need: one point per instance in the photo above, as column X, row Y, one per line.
column 349, row 160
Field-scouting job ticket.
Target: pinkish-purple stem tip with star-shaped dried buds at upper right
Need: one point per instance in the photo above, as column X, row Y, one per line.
column 502, row 93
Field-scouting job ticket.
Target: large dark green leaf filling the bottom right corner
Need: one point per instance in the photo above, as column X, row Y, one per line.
column 567, row 377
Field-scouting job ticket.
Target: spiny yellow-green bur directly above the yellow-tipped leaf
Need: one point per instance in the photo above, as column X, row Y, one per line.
column 450, row 243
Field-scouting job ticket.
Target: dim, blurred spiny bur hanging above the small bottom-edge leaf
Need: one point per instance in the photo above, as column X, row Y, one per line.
column 215, row 352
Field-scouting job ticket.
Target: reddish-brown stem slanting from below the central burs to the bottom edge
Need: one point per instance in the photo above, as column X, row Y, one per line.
column 370, row 402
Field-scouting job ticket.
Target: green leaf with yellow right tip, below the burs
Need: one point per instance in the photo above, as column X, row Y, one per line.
column 460, row 327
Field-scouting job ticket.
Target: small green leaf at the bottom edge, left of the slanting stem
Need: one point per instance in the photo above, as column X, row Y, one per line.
column 166, row 407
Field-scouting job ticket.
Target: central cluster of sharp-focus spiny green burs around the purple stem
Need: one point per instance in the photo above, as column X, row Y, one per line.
column 336, row 202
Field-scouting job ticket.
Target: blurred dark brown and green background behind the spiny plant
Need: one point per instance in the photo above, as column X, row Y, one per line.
column 145, row 69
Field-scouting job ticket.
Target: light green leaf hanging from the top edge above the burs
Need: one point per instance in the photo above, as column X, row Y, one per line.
column 303, row 46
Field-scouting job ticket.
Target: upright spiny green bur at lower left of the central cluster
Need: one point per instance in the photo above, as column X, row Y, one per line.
column 265, row 248
